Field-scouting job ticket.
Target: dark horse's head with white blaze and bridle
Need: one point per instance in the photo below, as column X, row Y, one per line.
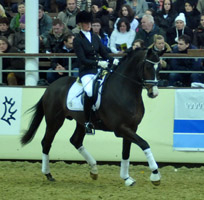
column 150, row 73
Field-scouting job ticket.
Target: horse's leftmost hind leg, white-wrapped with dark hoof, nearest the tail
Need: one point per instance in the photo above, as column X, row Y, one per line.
column 47, row 140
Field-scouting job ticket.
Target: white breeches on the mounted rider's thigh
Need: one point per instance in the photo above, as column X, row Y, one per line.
column 87, row 82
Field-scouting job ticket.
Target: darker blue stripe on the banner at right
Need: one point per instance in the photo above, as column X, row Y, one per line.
column 188, row 126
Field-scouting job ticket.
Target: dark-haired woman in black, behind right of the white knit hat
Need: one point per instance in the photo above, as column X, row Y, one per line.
column 192, row 15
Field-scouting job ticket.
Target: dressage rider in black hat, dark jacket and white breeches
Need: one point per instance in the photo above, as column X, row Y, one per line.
column 88, row 48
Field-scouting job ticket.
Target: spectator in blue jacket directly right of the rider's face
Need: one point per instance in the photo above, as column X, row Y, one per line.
column 96, row 28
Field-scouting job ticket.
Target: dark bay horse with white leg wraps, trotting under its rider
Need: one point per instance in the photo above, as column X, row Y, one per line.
column 121, row 111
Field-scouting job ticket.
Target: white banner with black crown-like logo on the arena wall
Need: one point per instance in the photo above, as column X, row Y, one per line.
column 10, row 110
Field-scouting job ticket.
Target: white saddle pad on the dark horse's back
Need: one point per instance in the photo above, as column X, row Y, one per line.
column 74, row 97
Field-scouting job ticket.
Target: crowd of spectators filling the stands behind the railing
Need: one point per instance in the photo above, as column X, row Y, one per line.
column 121, row 26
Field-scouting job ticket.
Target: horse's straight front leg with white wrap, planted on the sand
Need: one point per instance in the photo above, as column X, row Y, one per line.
column 124, row 166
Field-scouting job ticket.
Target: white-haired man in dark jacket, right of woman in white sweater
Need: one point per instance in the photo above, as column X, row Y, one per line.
column 148, row 29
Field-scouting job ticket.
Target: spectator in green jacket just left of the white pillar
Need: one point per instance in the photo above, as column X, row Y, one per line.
column 15, row 24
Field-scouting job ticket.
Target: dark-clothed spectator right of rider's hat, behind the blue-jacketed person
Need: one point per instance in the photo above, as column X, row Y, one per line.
column 100, row 12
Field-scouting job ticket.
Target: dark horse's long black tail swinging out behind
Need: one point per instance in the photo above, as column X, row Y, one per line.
column 34, row 123
